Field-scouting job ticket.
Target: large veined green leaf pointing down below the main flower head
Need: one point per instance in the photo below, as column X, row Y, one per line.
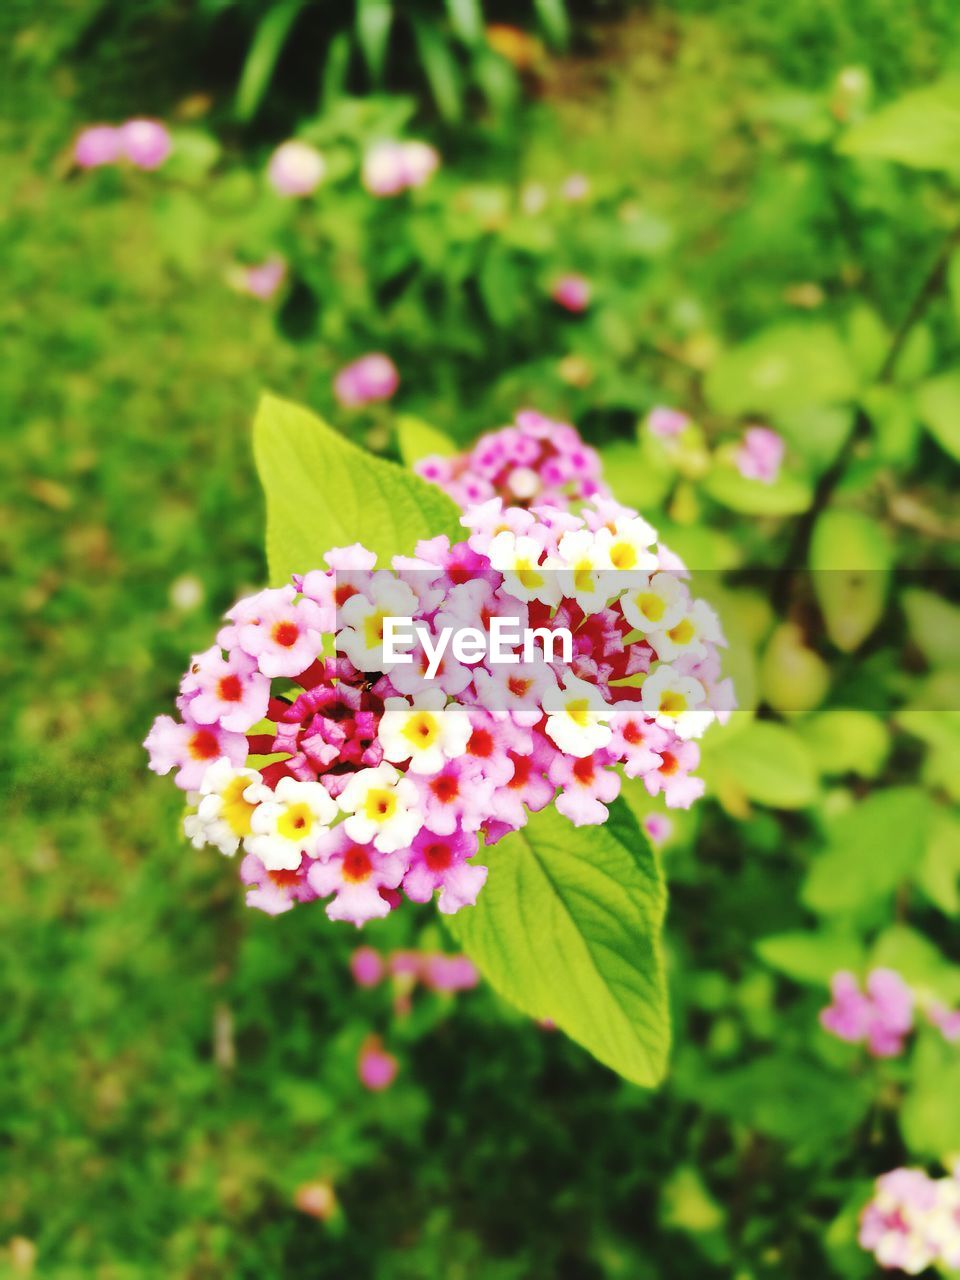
column 569, row 929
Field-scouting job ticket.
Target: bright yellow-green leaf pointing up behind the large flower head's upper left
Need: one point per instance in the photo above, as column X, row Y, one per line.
column 324, row 492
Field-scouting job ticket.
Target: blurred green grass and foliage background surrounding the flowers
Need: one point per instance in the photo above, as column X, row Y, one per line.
column 176, row 1067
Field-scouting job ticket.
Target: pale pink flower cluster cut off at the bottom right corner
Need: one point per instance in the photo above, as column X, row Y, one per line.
column 913, row 1222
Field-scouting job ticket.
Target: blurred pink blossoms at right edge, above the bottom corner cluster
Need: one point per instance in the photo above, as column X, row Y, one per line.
column 883, row 1016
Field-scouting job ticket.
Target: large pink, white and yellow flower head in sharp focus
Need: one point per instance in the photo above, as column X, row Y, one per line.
column 350, row 776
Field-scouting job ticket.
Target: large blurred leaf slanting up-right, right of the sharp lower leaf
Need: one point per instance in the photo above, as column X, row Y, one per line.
column 874, row 848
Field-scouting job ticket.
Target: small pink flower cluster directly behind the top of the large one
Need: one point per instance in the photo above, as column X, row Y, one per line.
column 534, row 461
